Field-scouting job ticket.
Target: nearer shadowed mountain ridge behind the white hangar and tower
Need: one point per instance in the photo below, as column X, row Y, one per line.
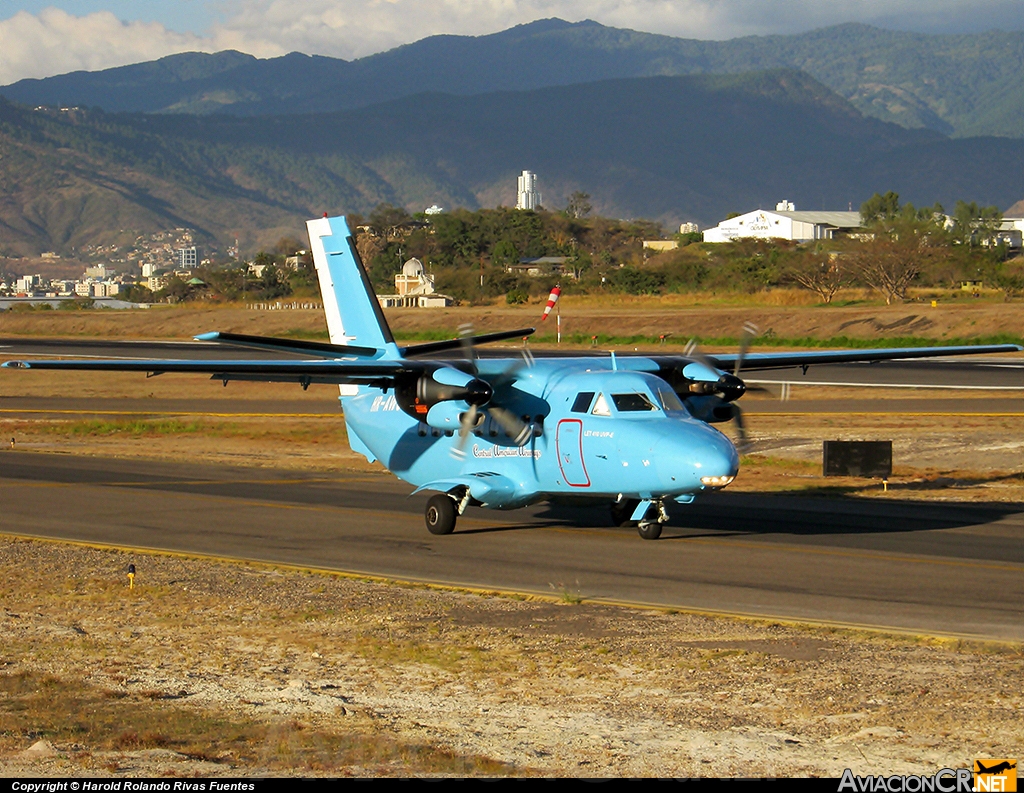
column 668, row 148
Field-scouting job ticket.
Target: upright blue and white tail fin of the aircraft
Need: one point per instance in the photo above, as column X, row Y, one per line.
column 354, row 314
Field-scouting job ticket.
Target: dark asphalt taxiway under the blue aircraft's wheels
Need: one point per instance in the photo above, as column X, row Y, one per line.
column 926, row 568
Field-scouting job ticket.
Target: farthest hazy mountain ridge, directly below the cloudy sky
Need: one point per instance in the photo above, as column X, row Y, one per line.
column 963, row 86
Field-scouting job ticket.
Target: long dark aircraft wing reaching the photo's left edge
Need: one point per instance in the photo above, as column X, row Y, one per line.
column 318, row 371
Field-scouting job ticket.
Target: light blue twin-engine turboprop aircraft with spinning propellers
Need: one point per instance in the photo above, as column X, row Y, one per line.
column 505, row 433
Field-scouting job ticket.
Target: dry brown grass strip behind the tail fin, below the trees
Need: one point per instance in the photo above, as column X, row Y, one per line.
column 782, row 315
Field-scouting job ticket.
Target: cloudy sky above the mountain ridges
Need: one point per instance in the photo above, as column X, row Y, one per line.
column 40, row 39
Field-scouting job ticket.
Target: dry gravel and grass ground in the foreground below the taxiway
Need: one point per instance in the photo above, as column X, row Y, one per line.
column 550, row 688
